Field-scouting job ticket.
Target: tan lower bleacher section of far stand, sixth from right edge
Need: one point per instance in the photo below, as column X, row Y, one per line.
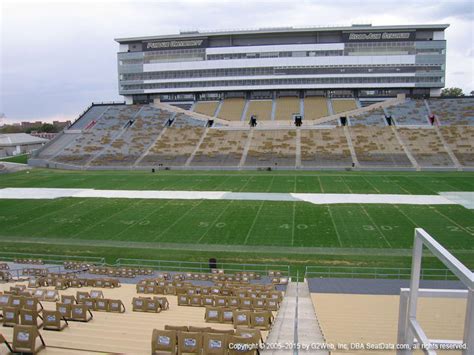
column 221, row 148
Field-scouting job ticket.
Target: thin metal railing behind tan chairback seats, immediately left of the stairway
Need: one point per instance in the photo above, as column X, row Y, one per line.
column 190, row 266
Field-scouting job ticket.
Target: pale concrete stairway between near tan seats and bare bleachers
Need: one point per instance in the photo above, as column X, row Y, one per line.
column 296, row 323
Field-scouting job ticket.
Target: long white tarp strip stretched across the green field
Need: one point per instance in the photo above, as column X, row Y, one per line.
column 48, row 193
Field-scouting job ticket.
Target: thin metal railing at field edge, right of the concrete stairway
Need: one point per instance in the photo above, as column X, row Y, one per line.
column 375, row 273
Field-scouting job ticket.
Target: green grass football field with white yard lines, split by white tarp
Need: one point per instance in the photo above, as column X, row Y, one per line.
column 290, row 232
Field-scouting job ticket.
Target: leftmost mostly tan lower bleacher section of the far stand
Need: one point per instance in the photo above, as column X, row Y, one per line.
column 174, row 147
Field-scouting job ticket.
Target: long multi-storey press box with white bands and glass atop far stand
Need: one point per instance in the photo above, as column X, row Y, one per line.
column 358, row 60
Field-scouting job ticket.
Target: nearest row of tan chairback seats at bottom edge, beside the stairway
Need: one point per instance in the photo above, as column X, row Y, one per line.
column 205, row 341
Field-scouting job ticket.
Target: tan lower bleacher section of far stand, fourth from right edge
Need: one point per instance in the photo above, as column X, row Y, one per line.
column 324, row 148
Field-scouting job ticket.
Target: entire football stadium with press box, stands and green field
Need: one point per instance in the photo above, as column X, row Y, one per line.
column 290, row 190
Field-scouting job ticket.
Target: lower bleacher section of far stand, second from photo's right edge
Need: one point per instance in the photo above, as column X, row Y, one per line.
column 426, row 147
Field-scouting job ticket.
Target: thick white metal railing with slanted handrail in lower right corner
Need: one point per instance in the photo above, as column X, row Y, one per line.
column 410, row 332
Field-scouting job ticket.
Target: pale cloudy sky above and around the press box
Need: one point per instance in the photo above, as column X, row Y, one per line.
column 57, row 57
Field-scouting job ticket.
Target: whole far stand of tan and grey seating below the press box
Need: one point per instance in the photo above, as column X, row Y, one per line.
column 148, row 136
